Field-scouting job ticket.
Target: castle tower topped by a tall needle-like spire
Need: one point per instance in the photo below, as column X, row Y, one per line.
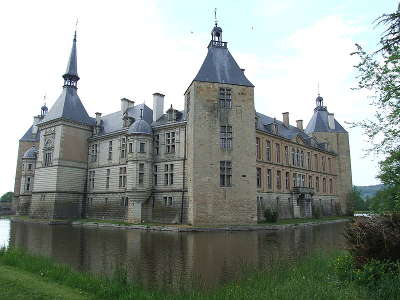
column 61, row 165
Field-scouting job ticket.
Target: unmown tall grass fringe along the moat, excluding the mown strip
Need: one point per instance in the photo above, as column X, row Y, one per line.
column 312, row 278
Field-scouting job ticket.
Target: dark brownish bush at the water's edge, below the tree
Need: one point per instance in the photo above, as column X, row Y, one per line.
column 374, row 238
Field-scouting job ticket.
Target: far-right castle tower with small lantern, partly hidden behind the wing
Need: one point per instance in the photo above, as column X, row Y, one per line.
column 324, row 127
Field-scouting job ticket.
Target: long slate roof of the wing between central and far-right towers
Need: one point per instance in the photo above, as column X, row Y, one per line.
column 290, row 132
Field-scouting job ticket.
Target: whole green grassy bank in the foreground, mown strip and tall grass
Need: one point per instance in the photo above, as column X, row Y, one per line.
column 312, row 278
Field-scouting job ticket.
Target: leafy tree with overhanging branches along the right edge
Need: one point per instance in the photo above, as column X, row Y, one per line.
column 379, row 72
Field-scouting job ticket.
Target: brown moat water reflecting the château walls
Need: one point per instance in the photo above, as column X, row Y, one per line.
column 170, row 259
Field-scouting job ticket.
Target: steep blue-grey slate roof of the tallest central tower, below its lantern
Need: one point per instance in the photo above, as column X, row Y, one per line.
column 219, row 66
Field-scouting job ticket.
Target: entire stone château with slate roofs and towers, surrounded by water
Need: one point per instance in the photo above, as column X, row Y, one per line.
column 216, row 162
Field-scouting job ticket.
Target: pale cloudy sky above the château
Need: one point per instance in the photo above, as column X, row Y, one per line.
column 133, row 49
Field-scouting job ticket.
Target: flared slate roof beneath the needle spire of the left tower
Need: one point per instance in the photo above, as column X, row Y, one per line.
column 69, row 107
